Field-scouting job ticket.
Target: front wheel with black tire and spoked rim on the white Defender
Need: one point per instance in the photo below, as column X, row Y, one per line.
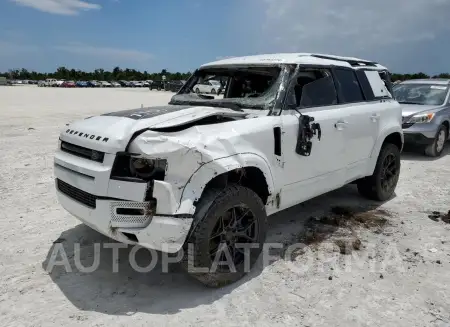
column 212, row 215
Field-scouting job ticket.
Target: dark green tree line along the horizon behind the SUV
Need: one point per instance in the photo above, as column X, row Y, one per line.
column 118, row 74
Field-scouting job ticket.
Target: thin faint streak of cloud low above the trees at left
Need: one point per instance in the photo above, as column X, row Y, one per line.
column 104, row 52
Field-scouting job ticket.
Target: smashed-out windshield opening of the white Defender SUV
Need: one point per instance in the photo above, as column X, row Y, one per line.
column 235, row 87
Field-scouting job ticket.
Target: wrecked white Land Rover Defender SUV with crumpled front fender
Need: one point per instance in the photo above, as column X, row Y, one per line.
column 201, row 174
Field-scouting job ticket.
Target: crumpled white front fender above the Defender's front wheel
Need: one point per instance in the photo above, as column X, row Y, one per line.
column 194, row 157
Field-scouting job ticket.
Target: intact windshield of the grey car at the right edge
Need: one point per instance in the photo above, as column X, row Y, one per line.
column 424, row 94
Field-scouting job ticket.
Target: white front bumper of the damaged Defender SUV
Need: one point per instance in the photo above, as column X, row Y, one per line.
column 85, row 190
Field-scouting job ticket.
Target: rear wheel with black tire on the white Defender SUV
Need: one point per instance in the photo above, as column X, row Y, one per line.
column 372, row 187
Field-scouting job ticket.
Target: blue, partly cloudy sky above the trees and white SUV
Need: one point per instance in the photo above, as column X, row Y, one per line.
column 179, row 35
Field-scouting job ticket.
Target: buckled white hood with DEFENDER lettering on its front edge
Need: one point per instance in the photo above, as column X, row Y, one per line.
column 112, row 132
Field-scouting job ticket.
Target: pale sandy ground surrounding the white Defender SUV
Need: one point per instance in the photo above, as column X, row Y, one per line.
column 400, row 276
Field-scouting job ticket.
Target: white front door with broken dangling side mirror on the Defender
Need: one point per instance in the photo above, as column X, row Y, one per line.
column 325, row 169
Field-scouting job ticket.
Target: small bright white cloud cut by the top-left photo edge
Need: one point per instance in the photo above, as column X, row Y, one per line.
column 60, row 7
